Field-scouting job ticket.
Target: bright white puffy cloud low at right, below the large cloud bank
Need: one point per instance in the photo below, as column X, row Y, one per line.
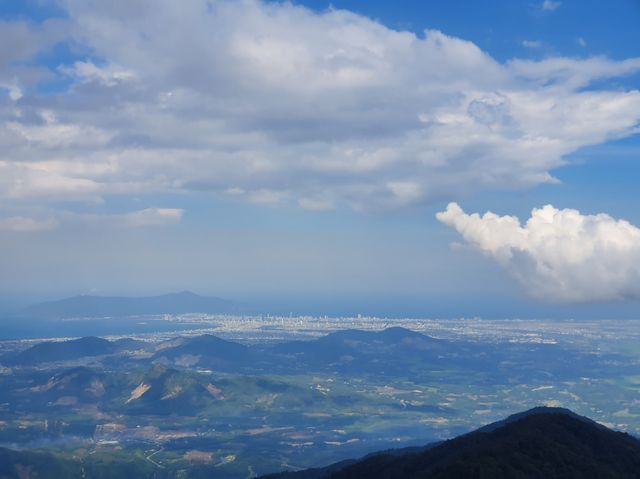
column 558, row 255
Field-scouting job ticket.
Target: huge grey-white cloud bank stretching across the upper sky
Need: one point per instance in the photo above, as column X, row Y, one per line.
column 271, row 102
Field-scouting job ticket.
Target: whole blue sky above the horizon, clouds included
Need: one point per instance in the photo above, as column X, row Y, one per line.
column 297, row 155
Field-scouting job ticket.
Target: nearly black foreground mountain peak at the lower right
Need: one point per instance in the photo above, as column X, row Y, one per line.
column 539, row 443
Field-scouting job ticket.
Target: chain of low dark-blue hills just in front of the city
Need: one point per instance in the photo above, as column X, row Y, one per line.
column 385, row 352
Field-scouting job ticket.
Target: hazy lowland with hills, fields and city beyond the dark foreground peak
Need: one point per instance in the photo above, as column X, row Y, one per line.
column 232, row 395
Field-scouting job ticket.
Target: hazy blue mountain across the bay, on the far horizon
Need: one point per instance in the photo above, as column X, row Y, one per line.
column 115, row 306
